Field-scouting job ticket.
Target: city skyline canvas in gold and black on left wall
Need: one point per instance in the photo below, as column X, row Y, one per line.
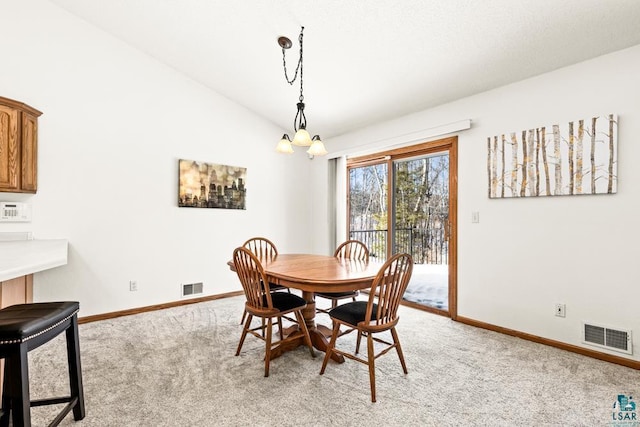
column 209, row 185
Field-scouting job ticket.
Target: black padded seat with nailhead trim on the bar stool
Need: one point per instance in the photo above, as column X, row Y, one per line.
column 23, row 321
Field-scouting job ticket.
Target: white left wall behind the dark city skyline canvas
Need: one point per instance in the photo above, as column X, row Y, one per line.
column 115, row 124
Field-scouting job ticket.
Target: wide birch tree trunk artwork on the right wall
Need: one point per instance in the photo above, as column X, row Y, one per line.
column 579, row 157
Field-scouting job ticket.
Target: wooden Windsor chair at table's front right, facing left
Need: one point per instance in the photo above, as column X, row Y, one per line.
column 369, row 318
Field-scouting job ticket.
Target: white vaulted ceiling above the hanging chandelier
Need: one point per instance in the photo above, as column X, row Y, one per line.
column 364, row 61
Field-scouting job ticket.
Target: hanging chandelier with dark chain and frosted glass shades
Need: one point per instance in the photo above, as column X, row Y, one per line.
column 301, row 137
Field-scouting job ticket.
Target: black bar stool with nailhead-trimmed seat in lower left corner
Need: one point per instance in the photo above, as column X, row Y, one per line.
column 24, row 327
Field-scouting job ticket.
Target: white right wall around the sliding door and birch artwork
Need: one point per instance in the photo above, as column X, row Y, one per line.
column 526, row 255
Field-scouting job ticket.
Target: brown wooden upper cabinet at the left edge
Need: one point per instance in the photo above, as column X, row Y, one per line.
column 18, row 147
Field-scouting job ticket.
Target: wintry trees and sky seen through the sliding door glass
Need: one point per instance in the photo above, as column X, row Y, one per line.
column 421, row 206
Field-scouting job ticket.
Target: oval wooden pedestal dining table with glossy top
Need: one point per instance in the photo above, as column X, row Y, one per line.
column 312, row 273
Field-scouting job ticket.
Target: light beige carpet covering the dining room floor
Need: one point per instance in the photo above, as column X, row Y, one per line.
column 176, row 367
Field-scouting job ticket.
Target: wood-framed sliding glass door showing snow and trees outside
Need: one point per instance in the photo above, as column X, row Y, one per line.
column 404, row 201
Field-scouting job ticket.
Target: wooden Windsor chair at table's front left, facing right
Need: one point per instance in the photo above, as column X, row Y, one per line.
column 267, row 305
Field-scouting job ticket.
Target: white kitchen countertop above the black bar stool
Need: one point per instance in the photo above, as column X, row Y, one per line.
column 22, row 257
